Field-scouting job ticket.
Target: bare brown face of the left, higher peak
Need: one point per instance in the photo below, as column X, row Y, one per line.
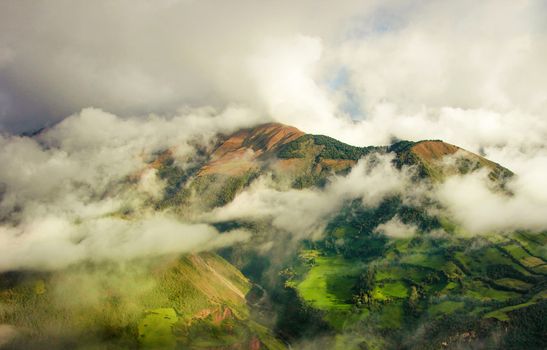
column 238, row 154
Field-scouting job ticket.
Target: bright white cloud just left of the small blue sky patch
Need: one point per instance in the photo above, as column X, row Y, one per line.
column 285, row 73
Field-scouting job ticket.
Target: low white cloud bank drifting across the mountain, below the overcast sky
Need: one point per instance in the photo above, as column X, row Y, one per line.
column 65, row 193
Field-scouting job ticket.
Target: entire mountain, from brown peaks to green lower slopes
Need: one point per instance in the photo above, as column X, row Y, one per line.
column 399, row 273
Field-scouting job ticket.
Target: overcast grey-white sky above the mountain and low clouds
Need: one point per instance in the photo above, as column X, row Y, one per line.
column 478, row 67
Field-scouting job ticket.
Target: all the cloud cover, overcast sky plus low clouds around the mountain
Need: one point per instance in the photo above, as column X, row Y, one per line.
column 472, row 74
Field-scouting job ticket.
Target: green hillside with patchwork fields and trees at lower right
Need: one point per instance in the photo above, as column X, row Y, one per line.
column 424, row 281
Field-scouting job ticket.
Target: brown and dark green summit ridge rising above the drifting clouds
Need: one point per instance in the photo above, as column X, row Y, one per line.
column 240, row 152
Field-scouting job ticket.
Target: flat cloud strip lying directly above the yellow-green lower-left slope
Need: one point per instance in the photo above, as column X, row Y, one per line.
column 54, row 242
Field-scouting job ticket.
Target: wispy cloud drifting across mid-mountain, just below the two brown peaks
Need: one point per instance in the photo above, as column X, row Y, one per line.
column 305, row 212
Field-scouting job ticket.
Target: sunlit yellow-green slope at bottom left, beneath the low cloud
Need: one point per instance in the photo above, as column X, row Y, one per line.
column 197, row 301
